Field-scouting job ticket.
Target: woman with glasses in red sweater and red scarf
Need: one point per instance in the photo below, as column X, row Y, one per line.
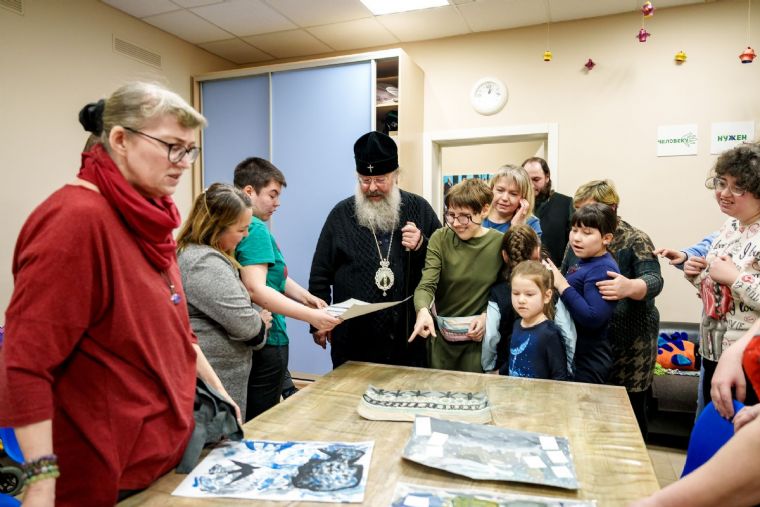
column 97, row 373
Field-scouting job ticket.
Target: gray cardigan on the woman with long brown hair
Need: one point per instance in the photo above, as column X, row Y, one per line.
column 227, row 324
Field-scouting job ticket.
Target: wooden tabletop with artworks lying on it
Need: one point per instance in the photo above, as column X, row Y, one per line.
column 611, row 461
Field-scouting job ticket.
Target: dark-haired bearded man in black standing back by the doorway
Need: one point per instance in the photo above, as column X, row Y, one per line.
column 552, row 209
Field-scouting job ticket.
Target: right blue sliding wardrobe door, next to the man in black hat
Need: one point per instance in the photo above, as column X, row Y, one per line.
column 317, row 114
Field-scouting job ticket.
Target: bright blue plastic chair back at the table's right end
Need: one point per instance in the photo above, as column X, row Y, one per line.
column 710, row 432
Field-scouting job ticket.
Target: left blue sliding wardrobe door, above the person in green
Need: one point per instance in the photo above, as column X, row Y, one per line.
column 237, row 111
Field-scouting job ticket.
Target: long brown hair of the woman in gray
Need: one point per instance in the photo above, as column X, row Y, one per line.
column 213, row 211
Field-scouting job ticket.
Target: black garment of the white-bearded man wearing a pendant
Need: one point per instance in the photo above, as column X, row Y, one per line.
column 346, row 260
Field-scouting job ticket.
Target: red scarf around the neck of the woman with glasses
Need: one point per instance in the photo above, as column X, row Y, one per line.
column 150, row 220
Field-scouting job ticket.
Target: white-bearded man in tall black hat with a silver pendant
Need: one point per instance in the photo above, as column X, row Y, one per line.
column 372, row 248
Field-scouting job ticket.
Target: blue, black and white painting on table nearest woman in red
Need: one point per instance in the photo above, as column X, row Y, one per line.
column 287, row 471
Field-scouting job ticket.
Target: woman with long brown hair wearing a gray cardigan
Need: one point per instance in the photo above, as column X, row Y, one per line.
column 227, row 324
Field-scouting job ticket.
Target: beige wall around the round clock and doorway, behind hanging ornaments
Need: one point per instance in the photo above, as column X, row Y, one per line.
column 608, row 117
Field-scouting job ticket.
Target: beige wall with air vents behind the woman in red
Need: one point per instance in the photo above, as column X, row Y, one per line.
column 53, row 60
